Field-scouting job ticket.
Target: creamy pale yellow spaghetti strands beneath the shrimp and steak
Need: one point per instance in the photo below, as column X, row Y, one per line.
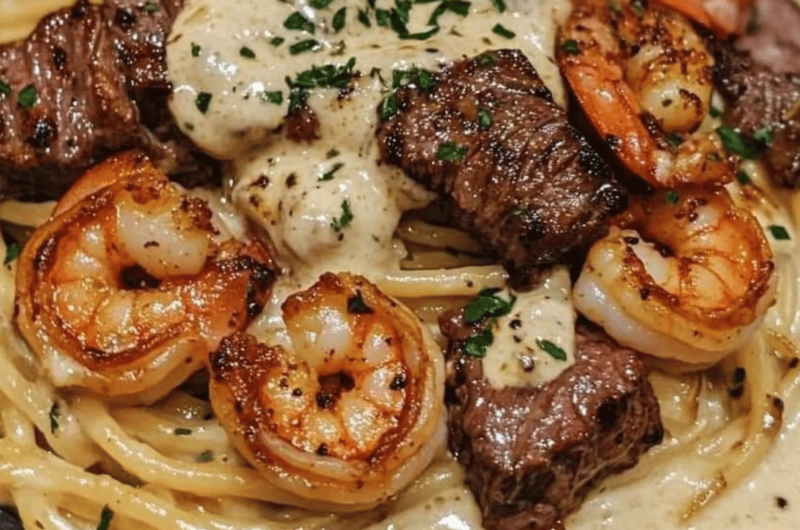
column 67, row 457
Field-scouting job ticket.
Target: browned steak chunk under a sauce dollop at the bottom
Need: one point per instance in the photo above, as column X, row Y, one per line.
column 533, row 454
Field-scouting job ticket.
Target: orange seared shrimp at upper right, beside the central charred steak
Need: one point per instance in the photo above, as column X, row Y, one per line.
column 644, row 78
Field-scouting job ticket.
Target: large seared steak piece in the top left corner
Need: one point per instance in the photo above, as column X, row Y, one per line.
column 89, row 80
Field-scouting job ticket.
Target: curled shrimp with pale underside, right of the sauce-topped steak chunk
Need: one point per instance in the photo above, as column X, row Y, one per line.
column 688, row 277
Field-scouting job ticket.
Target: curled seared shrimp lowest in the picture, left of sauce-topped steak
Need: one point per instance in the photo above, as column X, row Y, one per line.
column 353, row 414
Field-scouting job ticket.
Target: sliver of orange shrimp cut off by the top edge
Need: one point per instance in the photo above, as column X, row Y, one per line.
column 723, row 17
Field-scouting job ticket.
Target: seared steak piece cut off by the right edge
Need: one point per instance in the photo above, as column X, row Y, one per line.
column 766, row 94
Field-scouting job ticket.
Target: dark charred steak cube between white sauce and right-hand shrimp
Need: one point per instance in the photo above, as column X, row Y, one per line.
column 487, row 135
